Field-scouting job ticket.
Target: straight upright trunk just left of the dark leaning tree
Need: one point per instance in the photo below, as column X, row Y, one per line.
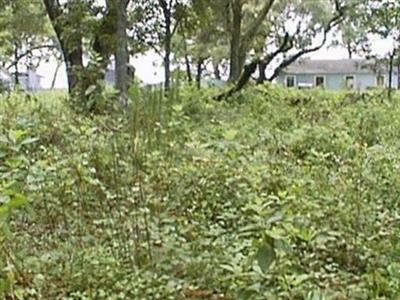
column 235, row 47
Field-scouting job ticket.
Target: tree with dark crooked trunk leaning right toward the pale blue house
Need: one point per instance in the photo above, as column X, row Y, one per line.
column 310, row 19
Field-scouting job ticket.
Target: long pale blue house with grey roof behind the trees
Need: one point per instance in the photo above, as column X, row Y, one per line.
column 358, row 74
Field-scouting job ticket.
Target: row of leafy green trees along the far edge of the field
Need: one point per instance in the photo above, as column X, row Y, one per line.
column 230, row 39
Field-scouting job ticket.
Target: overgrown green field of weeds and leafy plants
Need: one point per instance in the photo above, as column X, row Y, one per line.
column 272, row 195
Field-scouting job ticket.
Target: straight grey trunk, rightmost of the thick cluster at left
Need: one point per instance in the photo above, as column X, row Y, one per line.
column 121, row 52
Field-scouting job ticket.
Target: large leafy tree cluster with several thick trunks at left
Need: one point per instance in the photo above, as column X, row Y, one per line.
column 95, row 30
